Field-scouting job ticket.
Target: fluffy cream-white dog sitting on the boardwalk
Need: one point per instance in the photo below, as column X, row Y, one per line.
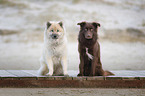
column 54, row 58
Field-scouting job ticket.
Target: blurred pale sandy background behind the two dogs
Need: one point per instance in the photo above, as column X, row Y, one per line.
column 121, row 35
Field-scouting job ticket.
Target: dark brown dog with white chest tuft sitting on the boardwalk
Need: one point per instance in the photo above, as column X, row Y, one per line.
column 89, row 50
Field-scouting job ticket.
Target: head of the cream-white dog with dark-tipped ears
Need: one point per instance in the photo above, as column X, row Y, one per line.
column 54, row 30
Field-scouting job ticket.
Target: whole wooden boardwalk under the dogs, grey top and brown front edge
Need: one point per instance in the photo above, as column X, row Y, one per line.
column 29, row 79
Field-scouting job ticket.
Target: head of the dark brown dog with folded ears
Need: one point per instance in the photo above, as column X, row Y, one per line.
column 89, row 29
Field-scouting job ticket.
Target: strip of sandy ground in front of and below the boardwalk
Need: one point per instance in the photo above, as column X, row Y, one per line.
column 70, row 92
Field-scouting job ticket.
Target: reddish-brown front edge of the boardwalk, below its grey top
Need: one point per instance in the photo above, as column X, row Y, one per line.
column 72, row 82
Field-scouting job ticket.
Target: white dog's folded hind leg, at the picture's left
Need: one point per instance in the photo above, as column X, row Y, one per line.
column 43, row 67
